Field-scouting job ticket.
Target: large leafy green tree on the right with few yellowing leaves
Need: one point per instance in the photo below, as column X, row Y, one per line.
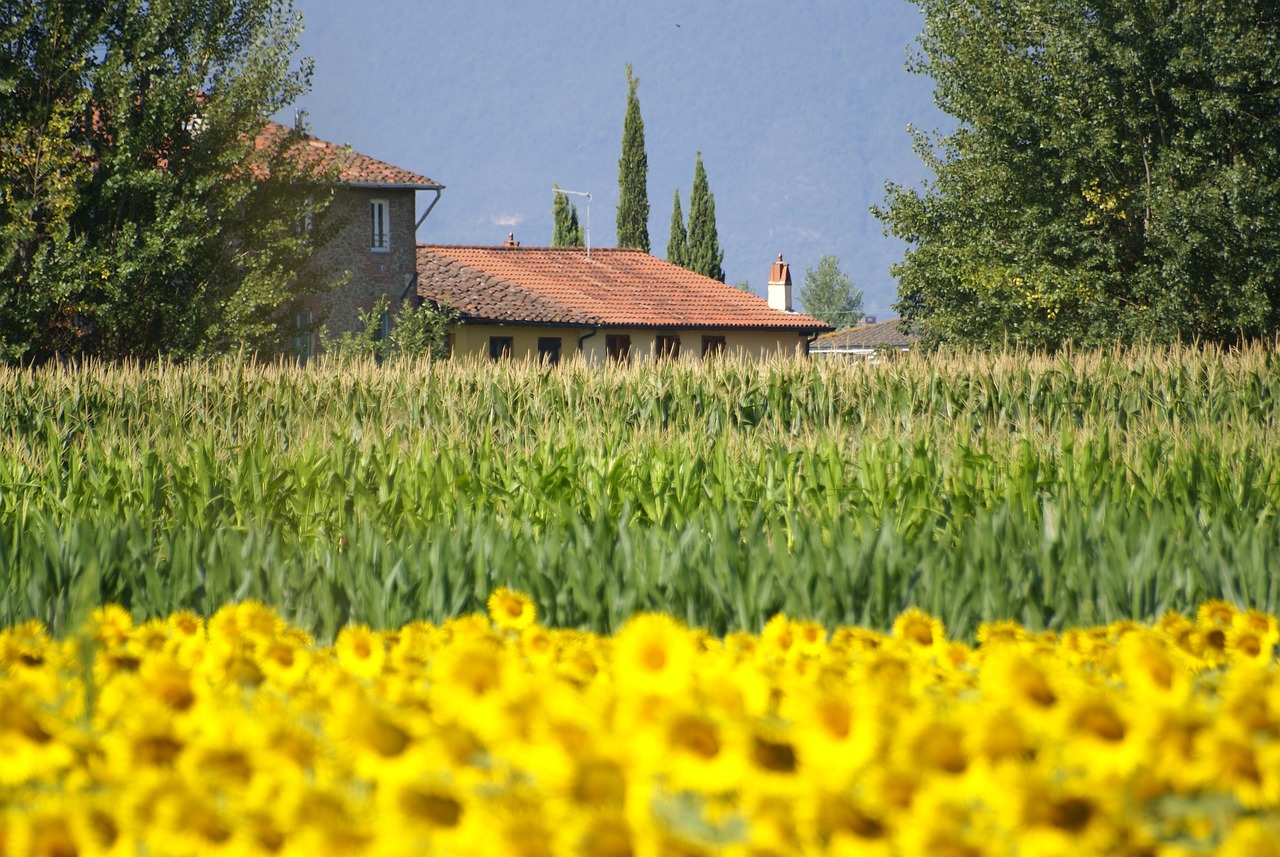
column 1112, row 176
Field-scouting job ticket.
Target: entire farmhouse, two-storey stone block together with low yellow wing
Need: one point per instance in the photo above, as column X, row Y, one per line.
column 529, row 303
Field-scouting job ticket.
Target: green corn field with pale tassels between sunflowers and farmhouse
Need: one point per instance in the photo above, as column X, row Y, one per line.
column 1071, row 491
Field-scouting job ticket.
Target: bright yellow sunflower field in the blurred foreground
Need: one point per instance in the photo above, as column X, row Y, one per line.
column 493, row 735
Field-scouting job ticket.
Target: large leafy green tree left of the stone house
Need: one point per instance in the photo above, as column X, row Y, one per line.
column 144, row 210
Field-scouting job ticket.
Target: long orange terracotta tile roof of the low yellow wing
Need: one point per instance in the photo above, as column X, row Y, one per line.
column 614, row 288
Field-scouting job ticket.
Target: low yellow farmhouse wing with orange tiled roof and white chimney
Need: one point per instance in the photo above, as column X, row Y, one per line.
column 551, row 303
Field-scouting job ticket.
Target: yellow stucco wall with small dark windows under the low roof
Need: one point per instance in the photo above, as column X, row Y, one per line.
column 746, row 345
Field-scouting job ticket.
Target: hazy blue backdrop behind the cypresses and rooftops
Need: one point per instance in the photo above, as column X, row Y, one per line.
column 801, row 112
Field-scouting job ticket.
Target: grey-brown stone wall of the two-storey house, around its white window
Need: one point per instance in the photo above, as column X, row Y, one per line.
column 364, row 274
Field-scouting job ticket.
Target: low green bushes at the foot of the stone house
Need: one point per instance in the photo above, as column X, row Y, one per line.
column 413, row 332
